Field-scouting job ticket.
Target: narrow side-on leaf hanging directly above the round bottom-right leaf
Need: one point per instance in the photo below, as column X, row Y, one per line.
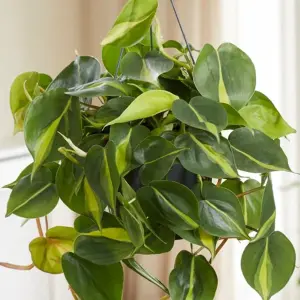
column 268, row 213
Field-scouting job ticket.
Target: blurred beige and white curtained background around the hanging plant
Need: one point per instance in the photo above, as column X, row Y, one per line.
column 43, row 35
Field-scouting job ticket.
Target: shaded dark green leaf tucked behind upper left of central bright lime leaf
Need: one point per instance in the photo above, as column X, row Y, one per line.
column 110, row 110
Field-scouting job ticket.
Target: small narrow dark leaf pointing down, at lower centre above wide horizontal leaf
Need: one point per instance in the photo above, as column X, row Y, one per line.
column 133, row 226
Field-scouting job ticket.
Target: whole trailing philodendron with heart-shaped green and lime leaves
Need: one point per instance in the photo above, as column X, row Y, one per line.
column 155, row 149
